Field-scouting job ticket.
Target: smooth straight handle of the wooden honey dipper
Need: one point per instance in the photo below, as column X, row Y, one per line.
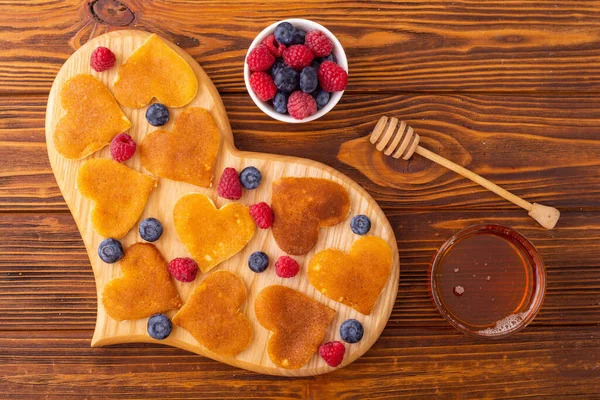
column 546, row 216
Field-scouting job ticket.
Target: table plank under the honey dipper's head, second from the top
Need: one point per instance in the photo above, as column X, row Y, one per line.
column 541, row 147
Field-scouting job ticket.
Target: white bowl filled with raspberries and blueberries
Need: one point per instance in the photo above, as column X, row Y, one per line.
column 296, row 70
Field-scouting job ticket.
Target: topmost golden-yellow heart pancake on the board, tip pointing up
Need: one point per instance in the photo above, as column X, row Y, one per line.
column 155, row 70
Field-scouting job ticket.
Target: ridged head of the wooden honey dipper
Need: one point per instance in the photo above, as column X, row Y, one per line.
column 394, row 138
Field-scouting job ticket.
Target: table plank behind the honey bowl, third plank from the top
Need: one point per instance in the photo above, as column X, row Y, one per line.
column 46, row 280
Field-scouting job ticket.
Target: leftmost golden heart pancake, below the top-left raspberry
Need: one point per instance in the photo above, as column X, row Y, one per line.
column 93, row 117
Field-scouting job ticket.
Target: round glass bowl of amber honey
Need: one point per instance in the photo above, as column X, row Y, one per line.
column 488, row 280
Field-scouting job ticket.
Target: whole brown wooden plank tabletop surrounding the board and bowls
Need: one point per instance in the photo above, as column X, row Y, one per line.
column 509, row 88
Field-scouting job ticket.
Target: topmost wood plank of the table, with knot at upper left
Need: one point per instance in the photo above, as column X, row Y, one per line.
column 409, row 45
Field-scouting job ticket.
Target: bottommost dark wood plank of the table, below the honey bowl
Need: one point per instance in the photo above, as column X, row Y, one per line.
column 406, row 362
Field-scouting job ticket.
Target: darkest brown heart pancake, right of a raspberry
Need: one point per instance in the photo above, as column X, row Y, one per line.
column 301, row 206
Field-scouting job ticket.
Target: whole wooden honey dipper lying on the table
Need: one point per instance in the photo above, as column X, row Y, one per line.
column 395, row 138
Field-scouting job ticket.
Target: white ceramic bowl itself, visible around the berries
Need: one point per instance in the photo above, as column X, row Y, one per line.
column 338, row 52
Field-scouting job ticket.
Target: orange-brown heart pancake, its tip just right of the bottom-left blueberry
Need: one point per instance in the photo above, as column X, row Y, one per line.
column 212, row 316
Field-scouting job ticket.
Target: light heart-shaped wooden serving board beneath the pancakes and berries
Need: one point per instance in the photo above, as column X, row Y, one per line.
column 164, row 196
